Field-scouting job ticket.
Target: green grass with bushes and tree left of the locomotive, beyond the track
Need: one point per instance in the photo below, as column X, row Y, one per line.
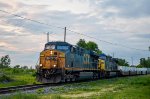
column 15, row 76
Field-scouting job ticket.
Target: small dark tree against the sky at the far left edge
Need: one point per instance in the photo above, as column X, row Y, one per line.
column 5, row 61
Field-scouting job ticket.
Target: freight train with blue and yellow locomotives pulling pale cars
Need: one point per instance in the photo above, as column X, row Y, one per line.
column 63, row 62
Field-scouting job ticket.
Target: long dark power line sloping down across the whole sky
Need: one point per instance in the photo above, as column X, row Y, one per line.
column 73, row 31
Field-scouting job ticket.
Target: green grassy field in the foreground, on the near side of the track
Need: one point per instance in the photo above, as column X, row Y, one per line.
column 135, row 87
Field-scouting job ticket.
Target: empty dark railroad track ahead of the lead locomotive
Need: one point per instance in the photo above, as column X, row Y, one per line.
column 24, row 87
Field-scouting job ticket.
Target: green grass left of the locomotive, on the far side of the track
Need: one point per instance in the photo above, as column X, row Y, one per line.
column 17, row 77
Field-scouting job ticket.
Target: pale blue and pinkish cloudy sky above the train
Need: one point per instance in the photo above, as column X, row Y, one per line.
column 122, row 22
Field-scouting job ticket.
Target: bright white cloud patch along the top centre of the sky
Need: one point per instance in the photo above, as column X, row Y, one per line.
column 74, row 6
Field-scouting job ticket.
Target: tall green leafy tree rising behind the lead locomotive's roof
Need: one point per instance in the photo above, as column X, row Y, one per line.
column 89, row 46
